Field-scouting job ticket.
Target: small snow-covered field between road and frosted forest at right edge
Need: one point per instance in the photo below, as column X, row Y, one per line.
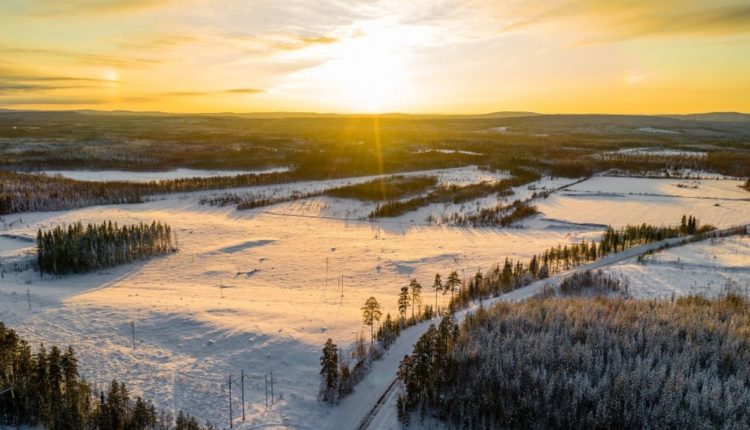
column 710, row 268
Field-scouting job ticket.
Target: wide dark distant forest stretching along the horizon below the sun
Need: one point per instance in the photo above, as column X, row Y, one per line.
column 335, row 147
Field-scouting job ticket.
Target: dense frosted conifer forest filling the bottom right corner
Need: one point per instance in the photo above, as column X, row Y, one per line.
column 585, row 363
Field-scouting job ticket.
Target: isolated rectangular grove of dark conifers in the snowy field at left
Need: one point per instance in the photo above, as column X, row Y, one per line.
column 79, row 249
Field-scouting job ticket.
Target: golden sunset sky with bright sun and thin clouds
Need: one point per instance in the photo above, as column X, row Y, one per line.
column 355, row 56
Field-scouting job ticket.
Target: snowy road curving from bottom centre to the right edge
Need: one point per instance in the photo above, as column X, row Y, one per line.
column 372, row 403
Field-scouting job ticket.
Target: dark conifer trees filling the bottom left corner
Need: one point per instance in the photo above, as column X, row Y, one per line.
column 45, row 389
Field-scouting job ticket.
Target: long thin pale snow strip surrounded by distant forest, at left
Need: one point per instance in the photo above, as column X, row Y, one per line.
column 122, row 175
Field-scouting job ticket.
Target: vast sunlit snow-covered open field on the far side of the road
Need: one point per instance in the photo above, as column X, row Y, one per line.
column 258, row 290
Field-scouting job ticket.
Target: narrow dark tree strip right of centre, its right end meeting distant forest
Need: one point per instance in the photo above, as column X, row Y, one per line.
column 456, row 194
